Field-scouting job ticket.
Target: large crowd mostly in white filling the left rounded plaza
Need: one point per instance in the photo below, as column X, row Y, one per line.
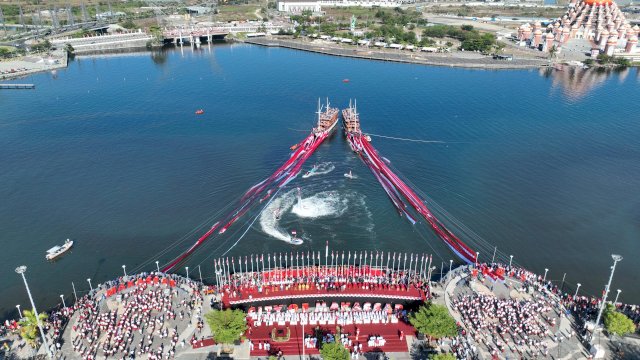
column 145, row 323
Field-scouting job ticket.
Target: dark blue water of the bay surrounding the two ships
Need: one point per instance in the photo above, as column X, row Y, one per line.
column 544, row 165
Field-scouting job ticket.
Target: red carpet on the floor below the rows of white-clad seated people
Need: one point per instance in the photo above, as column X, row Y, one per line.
column 294, row 346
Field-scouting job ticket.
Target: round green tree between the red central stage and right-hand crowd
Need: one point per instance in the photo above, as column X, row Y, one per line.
column 434, row 321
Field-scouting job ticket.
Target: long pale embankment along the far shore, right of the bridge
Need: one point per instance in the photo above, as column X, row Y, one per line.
column 419, row 58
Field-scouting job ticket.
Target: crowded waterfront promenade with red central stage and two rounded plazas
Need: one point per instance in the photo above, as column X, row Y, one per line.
column 501, row 312
